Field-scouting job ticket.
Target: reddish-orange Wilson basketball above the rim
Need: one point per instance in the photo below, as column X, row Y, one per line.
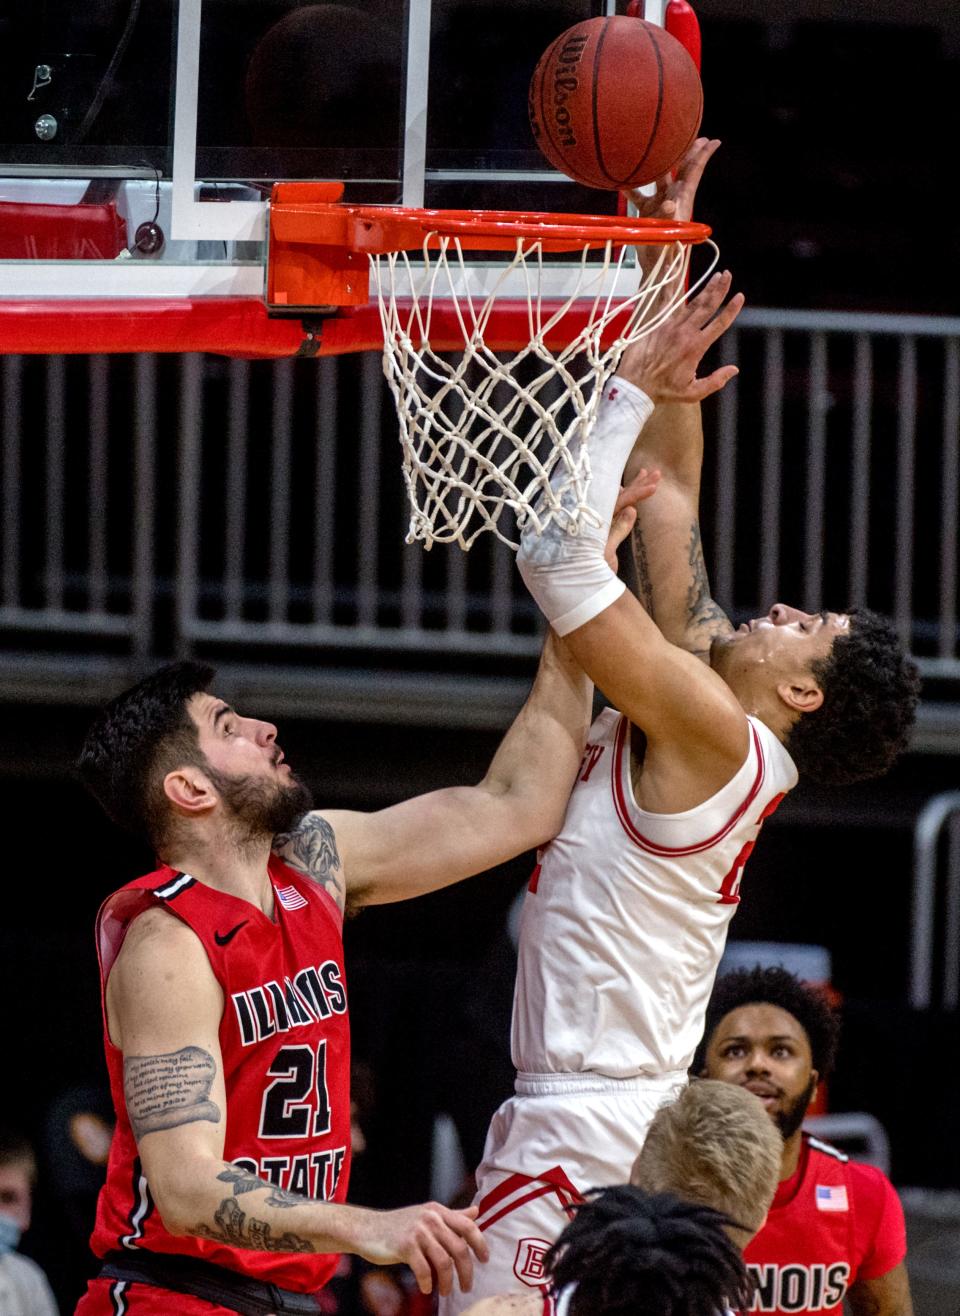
column 616, row 102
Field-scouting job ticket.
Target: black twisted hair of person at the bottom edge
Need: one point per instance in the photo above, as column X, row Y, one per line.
column 633, row 1252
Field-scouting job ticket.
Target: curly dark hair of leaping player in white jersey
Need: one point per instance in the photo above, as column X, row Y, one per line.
column 871, row 692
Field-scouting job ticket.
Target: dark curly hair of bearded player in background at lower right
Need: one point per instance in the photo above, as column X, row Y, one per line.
column 775, row 986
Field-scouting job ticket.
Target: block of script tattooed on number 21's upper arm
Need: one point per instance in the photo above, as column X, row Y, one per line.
column 167, row 1092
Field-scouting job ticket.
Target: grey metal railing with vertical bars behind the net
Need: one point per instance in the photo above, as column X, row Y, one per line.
column 157, row 506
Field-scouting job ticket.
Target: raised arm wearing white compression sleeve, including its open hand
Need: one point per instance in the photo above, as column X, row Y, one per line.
column 696, row 730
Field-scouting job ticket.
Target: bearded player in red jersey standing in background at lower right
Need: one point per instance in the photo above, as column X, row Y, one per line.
column 836, row 1231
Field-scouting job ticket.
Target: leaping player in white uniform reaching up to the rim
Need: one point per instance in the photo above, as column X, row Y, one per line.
column 627, row 915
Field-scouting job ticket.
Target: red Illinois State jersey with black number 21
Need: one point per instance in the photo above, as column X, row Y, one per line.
column 286, row 1055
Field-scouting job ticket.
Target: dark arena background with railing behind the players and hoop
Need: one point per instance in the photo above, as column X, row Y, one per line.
column 251, row 513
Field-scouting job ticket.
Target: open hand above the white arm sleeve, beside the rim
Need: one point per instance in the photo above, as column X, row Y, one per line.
column 664, row 363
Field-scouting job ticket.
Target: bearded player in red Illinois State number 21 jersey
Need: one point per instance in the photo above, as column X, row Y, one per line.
column 225, row 992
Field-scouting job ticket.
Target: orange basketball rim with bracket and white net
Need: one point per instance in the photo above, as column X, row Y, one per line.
column 497, row 378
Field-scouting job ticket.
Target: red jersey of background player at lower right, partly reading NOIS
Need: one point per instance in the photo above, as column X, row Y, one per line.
column 833, row 1223
